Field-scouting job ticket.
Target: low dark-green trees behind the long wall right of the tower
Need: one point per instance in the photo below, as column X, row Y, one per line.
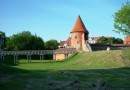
column 110, row 40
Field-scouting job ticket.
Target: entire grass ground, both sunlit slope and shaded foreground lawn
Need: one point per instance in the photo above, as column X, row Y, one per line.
column 79, row 72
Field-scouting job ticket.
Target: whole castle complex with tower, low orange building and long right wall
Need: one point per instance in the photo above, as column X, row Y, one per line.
column 80, row 41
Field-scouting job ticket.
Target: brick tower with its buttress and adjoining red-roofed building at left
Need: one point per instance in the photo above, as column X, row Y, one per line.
column 79, row 37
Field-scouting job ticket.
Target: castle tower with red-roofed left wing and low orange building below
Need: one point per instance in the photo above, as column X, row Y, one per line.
column 77, row 41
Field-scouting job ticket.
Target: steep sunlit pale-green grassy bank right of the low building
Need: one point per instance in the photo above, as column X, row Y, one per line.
column 98, row 59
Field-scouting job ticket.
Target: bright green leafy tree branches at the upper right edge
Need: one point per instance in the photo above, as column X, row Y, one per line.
column 122, row 19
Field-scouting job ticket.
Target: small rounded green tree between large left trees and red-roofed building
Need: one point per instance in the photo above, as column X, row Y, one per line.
column 51, row 44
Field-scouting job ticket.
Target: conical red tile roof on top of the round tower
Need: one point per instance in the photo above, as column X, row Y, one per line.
column 79, row 26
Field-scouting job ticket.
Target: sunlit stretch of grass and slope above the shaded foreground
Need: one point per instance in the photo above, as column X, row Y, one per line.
column 98, row 59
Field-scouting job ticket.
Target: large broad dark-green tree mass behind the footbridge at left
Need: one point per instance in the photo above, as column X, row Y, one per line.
column 25, row 41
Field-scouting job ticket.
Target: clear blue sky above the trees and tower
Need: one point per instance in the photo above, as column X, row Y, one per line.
column 54, row 19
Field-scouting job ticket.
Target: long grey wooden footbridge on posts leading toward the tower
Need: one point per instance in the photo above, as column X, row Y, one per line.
column 29, row 53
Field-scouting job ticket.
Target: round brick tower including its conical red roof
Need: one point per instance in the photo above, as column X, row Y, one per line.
column 79, row 34
